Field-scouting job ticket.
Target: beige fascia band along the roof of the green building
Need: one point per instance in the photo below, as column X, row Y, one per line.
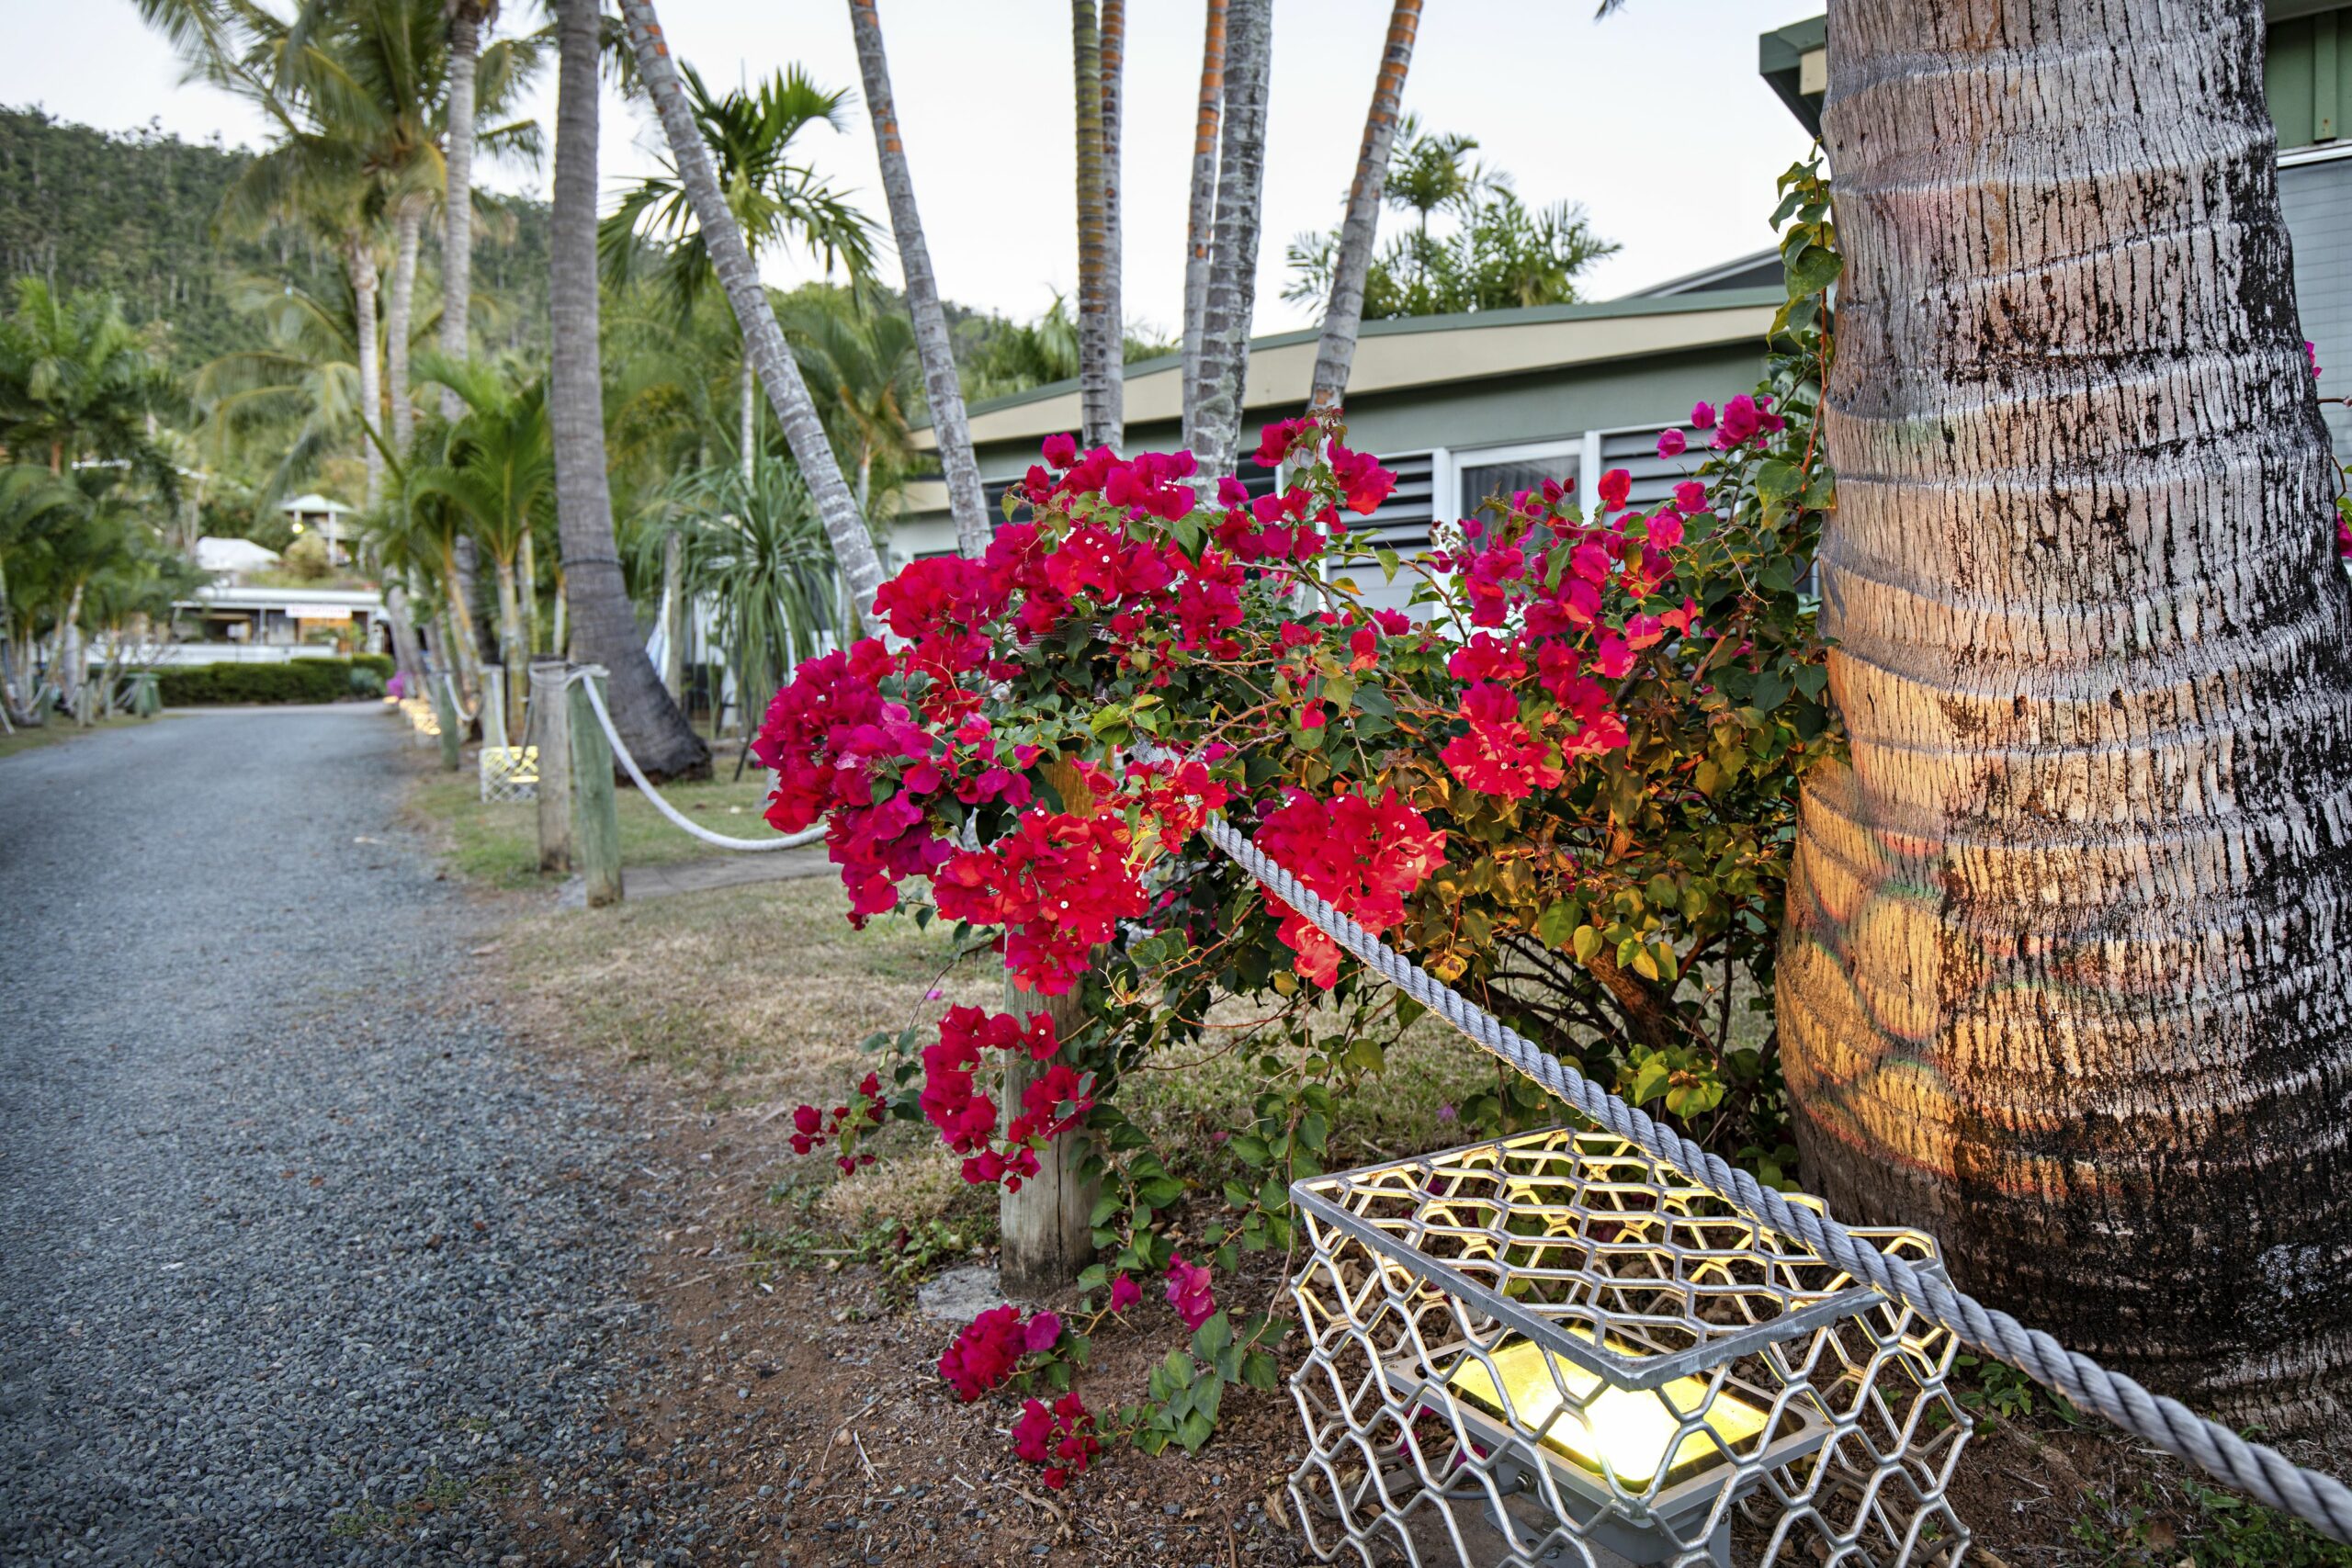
column 1410, row 354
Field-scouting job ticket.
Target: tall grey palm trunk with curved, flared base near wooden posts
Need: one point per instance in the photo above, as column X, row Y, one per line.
column 603, row 626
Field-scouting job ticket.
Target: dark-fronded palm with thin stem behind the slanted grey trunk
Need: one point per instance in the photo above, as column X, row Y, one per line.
column 773, row 199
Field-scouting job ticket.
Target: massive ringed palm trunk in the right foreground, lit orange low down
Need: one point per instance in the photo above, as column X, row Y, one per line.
column 2064, row 977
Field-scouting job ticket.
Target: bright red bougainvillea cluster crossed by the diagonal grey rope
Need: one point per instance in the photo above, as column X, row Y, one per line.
column 1361, row 855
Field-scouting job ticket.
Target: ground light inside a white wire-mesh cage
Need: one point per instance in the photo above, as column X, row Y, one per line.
column 1553, row 1351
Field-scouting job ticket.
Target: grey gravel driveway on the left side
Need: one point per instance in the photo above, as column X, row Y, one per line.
column 298, row 1264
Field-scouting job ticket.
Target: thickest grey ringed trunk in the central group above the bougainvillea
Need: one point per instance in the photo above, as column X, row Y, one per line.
column 1234, row 276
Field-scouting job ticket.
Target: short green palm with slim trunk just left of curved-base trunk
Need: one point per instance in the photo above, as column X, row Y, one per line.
column 497, row 471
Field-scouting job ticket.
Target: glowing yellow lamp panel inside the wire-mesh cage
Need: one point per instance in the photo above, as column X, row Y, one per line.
column 1629, row 1426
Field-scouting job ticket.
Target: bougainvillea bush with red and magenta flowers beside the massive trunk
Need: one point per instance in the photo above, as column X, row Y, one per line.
column 1563, row 779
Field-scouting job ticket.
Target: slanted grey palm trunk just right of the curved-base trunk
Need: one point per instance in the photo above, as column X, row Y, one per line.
column 846, row 528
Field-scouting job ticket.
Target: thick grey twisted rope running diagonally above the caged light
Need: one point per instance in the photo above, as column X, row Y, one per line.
column 2252, row 1468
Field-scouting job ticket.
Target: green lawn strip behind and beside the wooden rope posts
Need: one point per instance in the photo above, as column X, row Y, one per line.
column 500, row 845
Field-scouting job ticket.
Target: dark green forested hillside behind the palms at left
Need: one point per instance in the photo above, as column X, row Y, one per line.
column 135, row 215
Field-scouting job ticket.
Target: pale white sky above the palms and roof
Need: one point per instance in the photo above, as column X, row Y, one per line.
column 1655, row 121
